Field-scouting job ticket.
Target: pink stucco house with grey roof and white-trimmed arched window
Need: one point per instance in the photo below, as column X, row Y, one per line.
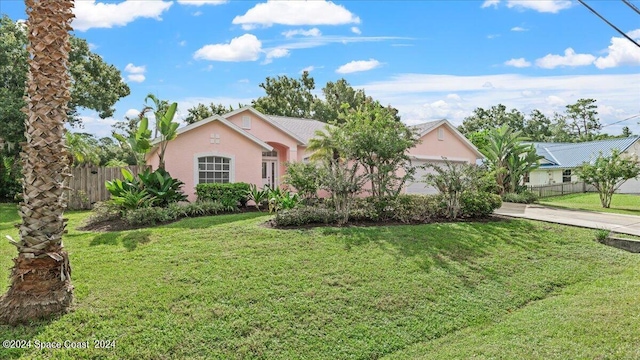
column 248, row 146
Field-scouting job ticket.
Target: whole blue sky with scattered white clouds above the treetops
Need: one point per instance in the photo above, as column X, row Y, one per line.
column 429, row 59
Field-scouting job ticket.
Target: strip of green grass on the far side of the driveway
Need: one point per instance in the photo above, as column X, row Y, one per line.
column 620, row 203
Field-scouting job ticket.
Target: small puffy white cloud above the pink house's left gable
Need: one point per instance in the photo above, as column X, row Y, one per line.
column 243, row 48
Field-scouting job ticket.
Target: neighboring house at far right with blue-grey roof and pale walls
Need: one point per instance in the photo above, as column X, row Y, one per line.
column 560, row 160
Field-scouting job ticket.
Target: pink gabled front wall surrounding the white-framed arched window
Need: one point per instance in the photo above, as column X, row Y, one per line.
column 182, row 152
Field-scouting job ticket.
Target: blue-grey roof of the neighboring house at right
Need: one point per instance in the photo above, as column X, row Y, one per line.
column 569, row 155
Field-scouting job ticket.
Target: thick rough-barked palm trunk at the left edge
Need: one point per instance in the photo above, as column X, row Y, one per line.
column 40, row 279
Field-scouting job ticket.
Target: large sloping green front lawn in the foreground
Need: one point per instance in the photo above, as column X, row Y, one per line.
column 227, row 287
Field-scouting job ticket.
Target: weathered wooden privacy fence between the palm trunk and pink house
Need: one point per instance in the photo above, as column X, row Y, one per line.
column 87, row 184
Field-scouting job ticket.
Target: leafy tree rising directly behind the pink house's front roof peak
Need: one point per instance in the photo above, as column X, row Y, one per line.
column 286, row 96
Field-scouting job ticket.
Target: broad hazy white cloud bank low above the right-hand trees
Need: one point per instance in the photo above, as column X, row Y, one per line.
column 424, row 97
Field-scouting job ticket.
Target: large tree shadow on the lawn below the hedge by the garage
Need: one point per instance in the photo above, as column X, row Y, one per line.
column 449, row 246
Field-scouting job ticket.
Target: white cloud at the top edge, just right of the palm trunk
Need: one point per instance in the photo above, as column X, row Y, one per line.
column 91, row 14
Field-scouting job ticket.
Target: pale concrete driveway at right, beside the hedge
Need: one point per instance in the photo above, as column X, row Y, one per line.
column 623, row 224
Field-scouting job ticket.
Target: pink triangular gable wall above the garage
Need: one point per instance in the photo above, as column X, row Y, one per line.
column 451, row 147
